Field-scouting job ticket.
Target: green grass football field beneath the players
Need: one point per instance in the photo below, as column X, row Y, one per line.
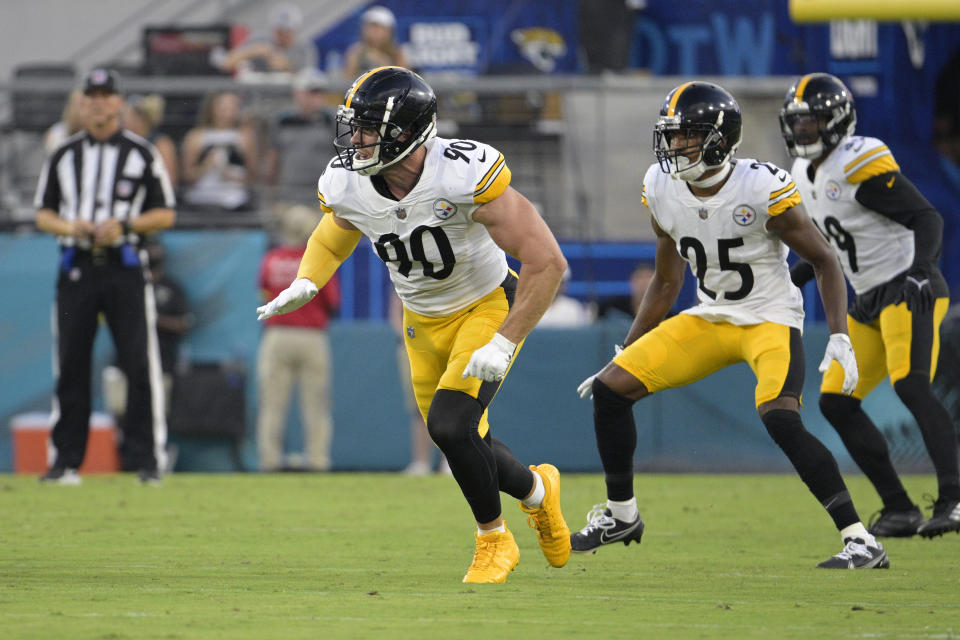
column 382, row 555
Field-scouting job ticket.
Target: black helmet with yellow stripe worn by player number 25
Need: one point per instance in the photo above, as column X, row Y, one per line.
column 706, row 112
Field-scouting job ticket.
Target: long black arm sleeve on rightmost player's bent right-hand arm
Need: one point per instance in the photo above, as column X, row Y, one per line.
column 894, row 196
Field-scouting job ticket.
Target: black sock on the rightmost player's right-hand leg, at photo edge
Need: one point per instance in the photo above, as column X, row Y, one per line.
column 936, row 426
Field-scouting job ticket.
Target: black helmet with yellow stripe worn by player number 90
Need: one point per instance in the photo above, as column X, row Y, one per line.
column 398, row 105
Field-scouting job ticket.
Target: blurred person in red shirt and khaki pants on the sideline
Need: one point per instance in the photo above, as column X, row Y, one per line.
column 295, row 350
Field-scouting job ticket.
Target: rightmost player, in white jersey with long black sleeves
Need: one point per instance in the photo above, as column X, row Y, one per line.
column 888, row 238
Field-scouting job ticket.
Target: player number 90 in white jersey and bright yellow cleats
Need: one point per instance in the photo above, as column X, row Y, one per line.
column 441, row 213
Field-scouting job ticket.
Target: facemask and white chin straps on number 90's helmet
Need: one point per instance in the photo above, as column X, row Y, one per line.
column 391, row 145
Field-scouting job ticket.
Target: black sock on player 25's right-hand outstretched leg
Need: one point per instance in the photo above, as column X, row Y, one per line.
column 815, row 464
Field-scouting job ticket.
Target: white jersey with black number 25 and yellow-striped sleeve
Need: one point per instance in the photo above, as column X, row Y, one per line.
column 741, row 268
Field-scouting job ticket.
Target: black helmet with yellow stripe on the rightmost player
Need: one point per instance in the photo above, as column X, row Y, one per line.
column 818, row 112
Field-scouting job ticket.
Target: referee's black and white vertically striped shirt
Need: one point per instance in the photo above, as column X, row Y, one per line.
column 88, row 179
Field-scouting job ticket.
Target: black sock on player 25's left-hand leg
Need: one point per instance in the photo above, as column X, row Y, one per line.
column 616, row 434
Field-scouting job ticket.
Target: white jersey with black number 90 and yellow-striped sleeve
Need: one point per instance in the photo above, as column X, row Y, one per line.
column 439, row 259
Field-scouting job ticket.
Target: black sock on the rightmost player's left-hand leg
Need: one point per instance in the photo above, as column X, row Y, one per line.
column 867, row 447
